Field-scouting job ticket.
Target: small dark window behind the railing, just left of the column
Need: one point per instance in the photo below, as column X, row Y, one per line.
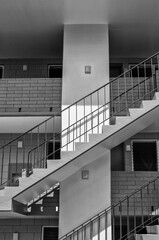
column 53, row 149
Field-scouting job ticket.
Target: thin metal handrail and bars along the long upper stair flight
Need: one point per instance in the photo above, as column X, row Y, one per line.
column 71, row 128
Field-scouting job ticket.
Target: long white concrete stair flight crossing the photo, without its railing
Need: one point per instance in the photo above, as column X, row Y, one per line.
column 85, row 153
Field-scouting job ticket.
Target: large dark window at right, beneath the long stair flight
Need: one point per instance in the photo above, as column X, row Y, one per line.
column 144, row 155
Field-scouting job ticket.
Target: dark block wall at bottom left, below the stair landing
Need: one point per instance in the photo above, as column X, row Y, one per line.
column 30, row 228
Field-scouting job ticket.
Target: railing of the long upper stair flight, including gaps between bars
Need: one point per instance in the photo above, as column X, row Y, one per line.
column 97, row 108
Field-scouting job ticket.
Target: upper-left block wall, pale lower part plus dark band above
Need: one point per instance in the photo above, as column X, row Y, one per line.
column 31, row 90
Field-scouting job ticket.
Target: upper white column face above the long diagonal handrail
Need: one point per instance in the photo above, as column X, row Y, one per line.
column 84, row 44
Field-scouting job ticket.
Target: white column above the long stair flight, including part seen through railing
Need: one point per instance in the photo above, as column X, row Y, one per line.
column 85, row 45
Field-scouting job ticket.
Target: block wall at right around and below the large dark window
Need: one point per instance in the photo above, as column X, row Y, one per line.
column 125, row 182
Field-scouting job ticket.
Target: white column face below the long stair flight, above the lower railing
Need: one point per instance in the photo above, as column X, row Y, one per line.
column 82, row 199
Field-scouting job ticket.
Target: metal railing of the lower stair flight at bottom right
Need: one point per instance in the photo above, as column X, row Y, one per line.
column 123, row 219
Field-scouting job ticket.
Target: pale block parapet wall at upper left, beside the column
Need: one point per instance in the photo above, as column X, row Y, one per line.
column 30, row 95
